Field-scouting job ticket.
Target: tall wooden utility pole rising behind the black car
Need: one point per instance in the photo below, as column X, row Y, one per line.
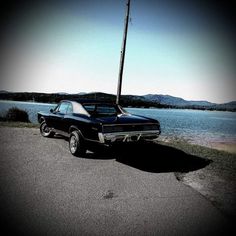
column 122, row 55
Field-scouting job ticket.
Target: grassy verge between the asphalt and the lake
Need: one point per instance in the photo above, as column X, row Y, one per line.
column 216, row 181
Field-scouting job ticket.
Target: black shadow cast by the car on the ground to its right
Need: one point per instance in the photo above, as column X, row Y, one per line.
column 152, row 157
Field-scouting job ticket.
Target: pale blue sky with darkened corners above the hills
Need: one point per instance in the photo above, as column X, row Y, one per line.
column 173, row 47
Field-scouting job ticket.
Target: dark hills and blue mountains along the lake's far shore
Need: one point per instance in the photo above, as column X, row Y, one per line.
column 149, row 100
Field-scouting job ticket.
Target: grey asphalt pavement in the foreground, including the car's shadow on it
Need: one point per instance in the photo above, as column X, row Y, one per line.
column 47, row 191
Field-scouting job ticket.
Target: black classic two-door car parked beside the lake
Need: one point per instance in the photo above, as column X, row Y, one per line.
column 92, row 123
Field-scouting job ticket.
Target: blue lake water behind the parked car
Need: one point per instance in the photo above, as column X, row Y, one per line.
column 207, row 128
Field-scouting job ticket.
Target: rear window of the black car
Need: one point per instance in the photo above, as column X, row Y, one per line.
column 102, row 109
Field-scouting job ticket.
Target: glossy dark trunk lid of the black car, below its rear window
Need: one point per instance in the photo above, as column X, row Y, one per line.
column 124, row 119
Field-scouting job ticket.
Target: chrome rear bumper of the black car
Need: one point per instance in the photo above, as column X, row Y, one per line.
column 131, row 136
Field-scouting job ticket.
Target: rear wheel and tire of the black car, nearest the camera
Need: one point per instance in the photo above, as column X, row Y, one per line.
column 76, row 144
